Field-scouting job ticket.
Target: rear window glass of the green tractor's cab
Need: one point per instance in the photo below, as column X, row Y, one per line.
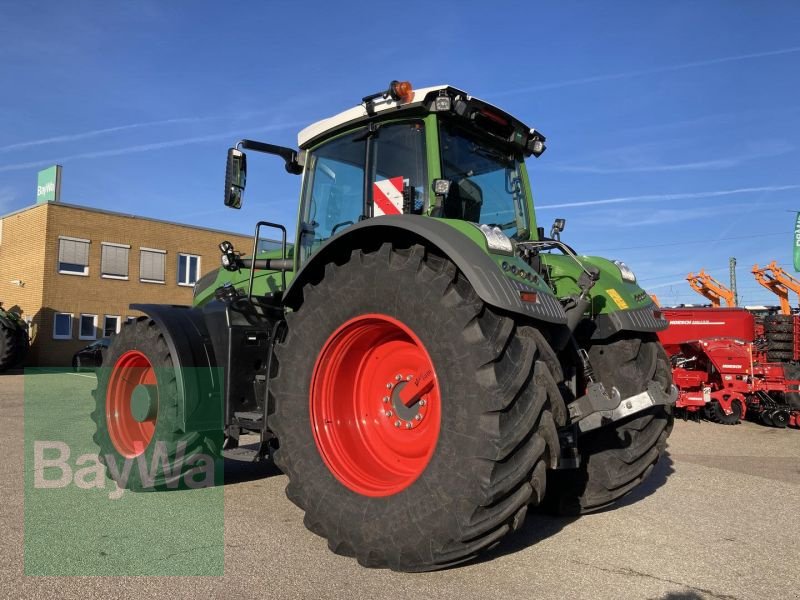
column 486, row 184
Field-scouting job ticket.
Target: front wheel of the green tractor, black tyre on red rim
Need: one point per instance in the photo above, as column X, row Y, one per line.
column 138, row 414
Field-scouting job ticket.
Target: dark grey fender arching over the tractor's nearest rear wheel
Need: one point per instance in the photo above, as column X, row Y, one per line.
column 483, row 273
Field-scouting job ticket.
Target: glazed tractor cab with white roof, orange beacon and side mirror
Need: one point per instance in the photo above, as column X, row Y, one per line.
column 435, row 152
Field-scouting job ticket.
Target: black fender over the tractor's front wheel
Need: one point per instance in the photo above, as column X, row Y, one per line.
column 200, row 386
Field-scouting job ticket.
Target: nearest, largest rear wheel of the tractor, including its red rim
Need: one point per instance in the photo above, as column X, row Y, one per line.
column 378, row 483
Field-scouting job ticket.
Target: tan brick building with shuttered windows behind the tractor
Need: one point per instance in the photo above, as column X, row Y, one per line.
column 72, row 271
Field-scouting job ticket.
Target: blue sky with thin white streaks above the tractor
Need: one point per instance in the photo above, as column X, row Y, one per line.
column 673, row 128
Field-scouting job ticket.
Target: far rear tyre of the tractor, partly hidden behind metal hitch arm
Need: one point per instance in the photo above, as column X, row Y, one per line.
column 618, row 457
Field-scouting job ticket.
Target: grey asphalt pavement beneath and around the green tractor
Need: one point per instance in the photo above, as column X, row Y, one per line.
column 718, row 518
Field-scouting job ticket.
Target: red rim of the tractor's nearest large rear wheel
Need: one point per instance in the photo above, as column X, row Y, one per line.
column 375, row 405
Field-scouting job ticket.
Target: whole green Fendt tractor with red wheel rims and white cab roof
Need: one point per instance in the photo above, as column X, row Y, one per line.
column 424, row 363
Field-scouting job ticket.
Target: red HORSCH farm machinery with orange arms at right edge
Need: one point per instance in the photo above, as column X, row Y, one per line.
column 729, row 363
